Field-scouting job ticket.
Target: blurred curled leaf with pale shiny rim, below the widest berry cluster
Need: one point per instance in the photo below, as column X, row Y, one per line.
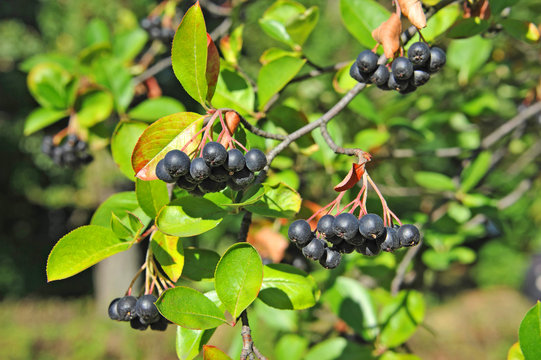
column 350, row 301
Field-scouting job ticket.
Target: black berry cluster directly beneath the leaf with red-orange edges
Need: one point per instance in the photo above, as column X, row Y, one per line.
column 214, row 171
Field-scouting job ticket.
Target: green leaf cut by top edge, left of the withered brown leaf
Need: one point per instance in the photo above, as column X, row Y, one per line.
column 361, row 17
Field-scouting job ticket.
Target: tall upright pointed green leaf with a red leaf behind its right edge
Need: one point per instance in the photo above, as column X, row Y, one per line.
column 189, row 54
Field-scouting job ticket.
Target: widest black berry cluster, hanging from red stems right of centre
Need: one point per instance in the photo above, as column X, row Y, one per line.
column 346, row 233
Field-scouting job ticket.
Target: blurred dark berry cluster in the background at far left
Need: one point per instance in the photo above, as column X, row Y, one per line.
column 72, row 152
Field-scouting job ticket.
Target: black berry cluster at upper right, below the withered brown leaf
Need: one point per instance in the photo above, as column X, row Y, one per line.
column 406, row 73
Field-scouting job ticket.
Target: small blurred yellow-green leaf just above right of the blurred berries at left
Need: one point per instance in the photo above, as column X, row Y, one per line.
column 94, row 107
